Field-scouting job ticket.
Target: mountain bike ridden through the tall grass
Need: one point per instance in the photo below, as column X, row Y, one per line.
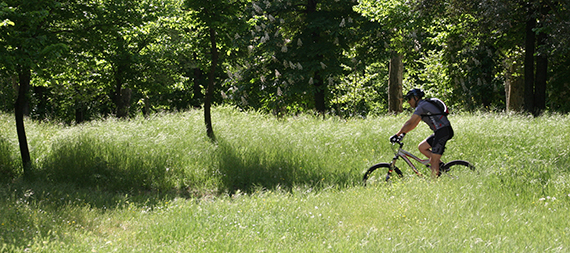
column 375, row 174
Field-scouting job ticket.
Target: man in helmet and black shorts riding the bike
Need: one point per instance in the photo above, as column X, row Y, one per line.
column 434, row 145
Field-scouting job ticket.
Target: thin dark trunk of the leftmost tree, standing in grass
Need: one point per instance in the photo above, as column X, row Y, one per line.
column 24, row 80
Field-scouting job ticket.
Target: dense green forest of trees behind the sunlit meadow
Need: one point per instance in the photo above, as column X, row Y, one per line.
column 76, row 61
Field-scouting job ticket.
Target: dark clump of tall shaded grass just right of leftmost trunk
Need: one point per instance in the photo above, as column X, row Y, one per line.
column 87, row 162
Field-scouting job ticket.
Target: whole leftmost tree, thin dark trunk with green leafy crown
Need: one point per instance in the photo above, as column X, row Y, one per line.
column 29, row 40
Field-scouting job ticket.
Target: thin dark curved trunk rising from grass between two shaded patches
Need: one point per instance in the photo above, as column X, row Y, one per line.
column 210, row 89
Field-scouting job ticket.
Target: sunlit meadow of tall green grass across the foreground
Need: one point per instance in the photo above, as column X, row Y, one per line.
column 282, row 185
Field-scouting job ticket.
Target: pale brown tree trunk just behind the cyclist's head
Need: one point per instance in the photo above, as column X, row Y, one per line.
column 396, row 75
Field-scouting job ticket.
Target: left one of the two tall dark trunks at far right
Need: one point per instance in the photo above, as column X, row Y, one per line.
column 529, row 63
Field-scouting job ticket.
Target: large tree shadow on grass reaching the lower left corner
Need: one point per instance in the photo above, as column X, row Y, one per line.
column 80, row 176
